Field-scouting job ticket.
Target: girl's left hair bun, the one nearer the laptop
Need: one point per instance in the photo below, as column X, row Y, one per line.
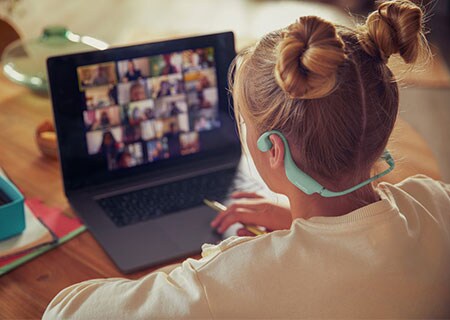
column 308, row 57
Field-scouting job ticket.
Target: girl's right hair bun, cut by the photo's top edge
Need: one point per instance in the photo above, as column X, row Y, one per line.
column 396, row 27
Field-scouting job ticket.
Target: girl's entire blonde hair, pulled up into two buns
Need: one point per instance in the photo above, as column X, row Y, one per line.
column 328, row 88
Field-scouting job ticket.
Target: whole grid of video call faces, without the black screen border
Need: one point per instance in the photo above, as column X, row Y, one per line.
column 146, row 109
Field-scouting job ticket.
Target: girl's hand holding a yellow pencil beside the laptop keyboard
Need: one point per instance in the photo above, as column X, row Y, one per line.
column 252, row 209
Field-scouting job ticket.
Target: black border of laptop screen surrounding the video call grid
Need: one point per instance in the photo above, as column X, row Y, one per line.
column 79, row 170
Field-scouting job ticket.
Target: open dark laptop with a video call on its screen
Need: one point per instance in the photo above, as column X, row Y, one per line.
column 145, row 134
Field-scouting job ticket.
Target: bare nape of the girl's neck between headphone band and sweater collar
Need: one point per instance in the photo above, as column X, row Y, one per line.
column 307, row 206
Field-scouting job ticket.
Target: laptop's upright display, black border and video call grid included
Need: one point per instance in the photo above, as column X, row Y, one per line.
column 126, row 111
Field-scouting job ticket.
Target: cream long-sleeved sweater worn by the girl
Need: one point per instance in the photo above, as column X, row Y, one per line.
column 388, row 259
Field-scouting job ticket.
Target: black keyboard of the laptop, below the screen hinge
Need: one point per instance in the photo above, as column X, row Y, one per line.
column 144, row 204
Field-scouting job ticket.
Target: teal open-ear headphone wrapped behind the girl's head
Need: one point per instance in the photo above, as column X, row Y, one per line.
column 305, row 182
